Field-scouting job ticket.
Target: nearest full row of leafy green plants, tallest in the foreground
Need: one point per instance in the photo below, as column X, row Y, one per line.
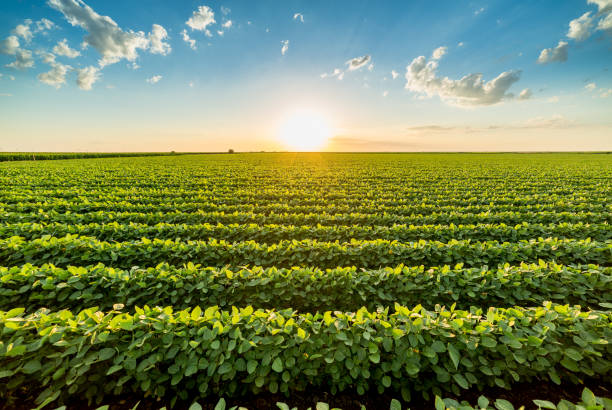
column 191, row 353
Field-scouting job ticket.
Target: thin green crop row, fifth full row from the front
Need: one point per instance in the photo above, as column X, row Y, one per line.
column 457, row 218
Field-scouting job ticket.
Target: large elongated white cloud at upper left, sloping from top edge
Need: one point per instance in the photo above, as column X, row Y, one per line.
column 113, row 43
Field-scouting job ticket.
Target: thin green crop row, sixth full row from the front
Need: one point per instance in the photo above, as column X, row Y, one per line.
column 276, row 208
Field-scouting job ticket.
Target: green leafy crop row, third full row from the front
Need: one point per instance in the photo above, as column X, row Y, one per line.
column 75, row 250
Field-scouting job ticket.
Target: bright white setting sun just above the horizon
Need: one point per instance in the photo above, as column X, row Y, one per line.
column 304, row 130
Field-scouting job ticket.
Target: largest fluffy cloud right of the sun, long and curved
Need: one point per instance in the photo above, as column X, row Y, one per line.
column 421, row 77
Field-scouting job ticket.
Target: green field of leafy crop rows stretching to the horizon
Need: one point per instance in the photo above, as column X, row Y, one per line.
column 408, row 276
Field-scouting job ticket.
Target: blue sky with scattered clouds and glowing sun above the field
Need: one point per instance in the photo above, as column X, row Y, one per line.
column 185, row 75
